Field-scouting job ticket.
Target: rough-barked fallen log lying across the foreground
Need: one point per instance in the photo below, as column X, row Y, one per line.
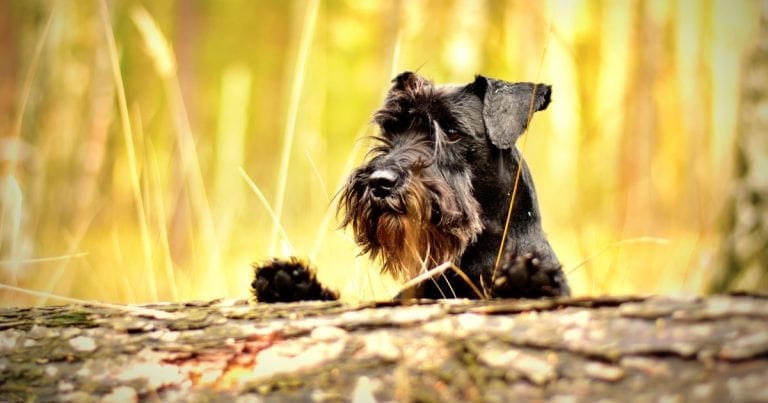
column 623, row 349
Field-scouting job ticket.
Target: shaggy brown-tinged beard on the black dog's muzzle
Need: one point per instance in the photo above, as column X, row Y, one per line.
column 420, row 226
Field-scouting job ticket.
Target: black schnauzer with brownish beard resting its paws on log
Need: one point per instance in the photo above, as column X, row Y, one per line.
column 437, row 188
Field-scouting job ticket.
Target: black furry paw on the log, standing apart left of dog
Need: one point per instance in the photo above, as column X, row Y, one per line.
column 288, row 281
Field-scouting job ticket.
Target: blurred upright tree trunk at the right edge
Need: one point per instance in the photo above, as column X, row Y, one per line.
column 745, row 245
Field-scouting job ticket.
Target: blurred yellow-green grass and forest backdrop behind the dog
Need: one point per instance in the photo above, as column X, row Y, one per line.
column 132, row 155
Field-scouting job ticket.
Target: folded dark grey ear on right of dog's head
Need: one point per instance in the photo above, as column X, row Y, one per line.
column 508, row 107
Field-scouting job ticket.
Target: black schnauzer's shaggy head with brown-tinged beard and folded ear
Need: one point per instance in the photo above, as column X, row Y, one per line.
column 412, row 203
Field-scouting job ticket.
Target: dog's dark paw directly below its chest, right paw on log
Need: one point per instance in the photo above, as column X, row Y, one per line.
column 527, row 276
